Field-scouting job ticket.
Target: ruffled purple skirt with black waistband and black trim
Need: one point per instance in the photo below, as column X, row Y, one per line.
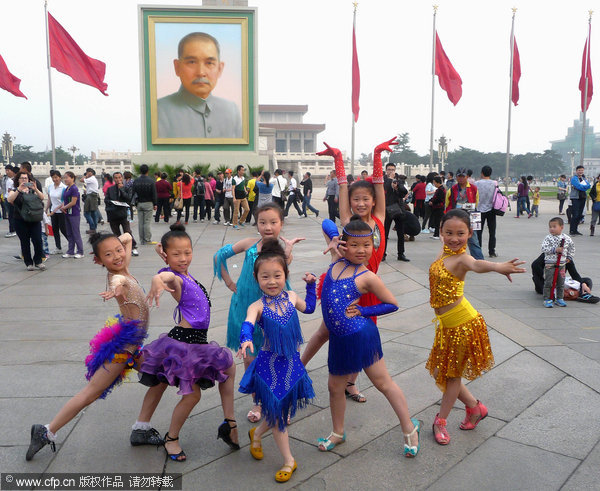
column 183, row 358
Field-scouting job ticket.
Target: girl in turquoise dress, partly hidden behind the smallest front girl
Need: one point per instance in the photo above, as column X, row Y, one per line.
column 269, row 220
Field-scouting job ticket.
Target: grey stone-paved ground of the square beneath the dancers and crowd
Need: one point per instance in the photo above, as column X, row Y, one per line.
column 543, row 431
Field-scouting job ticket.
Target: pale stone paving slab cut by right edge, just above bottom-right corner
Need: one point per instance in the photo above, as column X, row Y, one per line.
column 564, row 421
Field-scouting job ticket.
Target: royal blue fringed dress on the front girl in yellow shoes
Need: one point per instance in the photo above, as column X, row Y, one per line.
column 277, row 377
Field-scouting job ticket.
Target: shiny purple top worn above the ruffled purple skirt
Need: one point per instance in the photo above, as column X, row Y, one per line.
column 194, row 305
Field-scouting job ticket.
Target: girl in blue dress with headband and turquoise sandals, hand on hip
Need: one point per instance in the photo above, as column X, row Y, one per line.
column 354, row 342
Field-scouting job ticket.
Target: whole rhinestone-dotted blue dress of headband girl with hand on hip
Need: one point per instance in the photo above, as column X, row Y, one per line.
column 354, row 343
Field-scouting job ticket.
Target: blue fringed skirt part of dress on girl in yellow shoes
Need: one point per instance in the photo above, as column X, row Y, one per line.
column 281, row 386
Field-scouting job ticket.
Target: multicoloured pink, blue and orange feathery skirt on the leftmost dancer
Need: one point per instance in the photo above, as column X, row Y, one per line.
column 109, row 345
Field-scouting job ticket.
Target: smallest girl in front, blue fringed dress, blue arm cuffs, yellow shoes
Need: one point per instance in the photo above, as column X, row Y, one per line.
column 277, row 377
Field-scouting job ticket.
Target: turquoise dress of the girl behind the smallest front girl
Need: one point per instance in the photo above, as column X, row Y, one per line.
column 247, row 293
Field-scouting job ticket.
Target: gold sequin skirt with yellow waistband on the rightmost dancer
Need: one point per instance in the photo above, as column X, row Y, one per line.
column 461, row 347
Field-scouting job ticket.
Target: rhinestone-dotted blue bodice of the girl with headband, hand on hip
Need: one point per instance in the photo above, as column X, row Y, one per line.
column 337, row 294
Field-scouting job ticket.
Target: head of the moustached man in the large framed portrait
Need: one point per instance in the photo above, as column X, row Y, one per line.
column 199, row 67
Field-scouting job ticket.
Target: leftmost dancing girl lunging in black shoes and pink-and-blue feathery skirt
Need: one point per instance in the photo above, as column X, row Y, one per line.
column 115, row 349
